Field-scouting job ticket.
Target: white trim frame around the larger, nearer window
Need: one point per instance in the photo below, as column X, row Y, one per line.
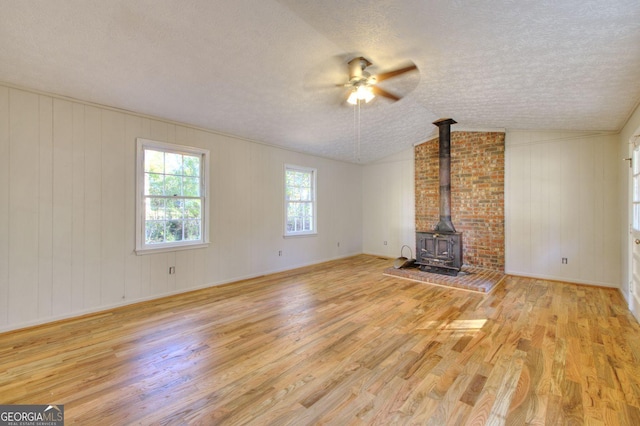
column 141, row 247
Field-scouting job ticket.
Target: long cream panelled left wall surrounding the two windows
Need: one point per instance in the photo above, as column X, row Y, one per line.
column 67, row 177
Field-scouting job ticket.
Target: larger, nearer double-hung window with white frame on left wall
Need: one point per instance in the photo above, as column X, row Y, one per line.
column 172, row 202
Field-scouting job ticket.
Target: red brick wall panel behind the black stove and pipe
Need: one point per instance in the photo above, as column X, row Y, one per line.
column 477, row 194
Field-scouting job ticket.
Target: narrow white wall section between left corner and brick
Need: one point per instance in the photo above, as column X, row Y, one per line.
column 388, row 205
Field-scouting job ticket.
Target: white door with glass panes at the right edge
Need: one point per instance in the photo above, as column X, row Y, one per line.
column 634, row 286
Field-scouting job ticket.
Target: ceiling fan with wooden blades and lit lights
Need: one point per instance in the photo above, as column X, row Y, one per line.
column 363, row 86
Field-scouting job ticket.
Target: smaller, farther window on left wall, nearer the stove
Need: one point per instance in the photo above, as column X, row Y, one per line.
column 299, row 200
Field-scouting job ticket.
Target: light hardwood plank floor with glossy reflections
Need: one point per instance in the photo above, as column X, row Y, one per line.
column 339, row 343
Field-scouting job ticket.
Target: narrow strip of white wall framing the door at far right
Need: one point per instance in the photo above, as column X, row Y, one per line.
column 631, row 128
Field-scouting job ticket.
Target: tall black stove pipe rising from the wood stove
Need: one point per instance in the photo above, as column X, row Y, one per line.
column 444, row 127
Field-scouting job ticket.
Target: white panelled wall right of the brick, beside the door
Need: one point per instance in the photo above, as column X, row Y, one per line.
column 562, row 200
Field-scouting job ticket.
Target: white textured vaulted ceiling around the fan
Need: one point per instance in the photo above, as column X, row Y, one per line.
column 267, row 70
